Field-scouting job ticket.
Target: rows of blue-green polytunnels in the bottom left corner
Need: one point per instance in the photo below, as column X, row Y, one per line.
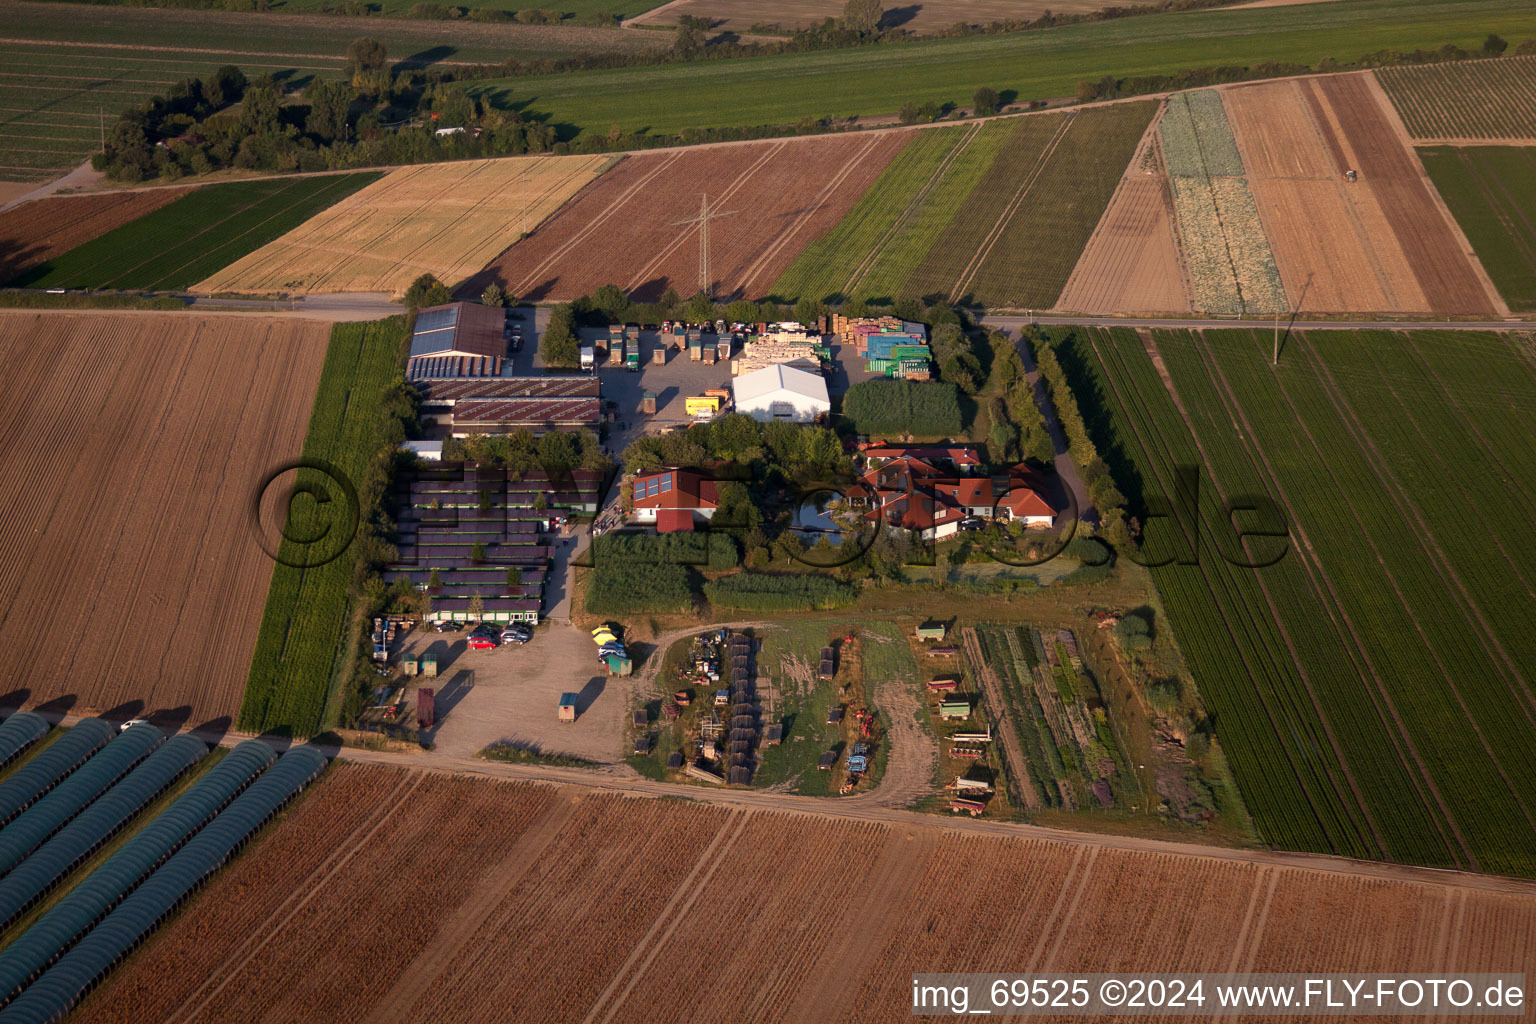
column 84, row 796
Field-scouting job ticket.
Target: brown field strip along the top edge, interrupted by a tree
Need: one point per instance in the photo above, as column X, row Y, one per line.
column 741, row 16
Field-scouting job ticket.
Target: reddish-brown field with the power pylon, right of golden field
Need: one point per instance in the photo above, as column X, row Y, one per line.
column 767, row 200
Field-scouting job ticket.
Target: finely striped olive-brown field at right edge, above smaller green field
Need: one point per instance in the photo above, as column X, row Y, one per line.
column 1485, row 99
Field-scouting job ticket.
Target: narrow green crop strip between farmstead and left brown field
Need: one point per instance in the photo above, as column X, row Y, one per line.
column 300, row 646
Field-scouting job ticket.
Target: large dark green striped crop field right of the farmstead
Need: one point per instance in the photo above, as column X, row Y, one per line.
column 1374, row 685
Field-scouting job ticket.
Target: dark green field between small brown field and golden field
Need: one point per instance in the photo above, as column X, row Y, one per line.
column 185, row 242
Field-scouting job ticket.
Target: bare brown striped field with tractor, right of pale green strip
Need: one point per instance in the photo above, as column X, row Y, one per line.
column 1379, row 245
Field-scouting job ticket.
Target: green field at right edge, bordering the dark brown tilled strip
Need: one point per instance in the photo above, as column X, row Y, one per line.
column 1492, row 193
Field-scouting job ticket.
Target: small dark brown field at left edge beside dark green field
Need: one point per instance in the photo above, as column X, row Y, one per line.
column 36, row 233
